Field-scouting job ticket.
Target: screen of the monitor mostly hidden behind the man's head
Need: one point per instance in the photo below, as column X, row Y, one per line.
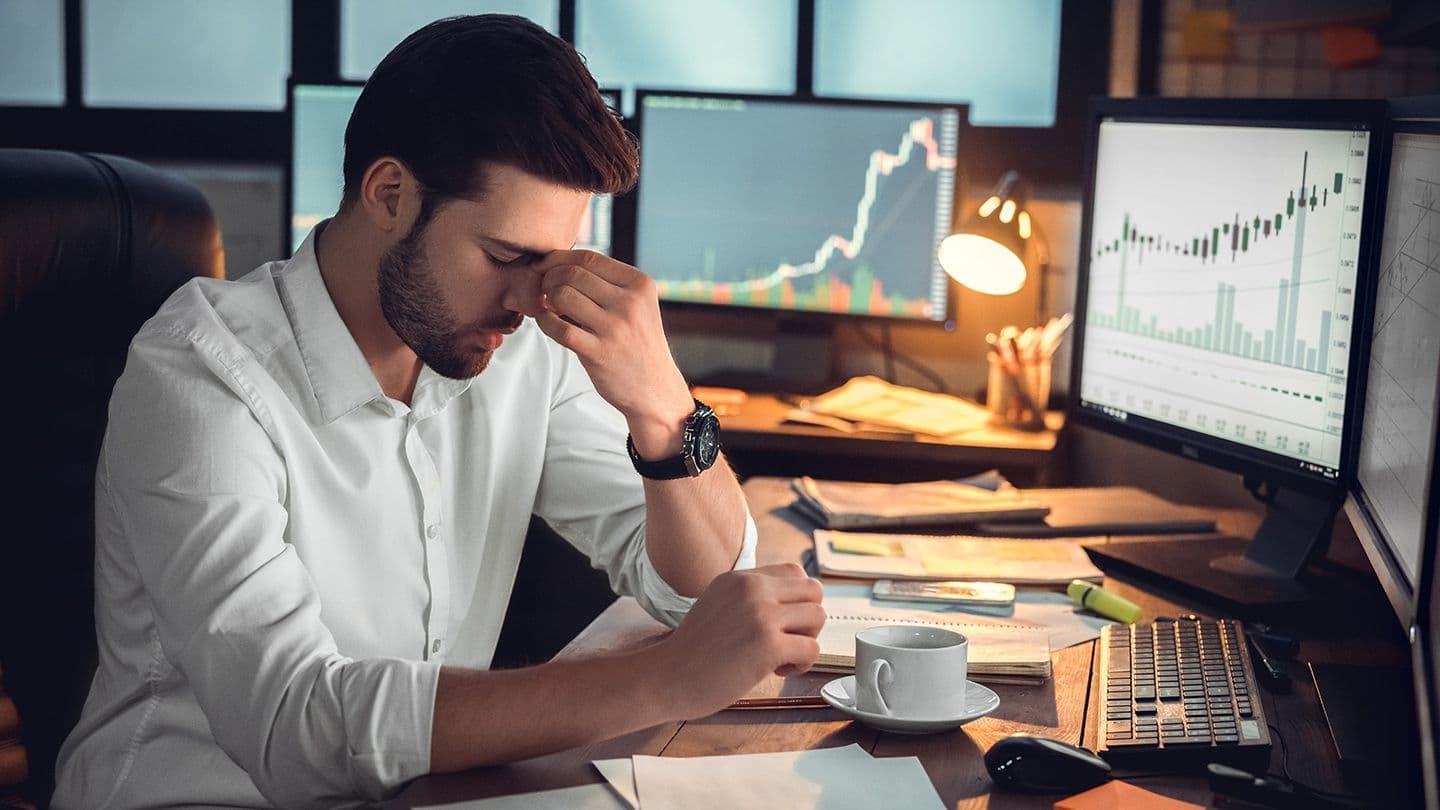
column 319, row 115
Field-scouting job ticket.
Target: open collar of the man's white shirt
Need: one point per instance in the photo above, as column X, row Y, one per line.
column 339, row 374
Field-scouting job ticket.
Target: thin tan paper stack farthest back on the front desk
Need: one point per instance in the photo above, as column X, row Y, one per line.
column 850, row 505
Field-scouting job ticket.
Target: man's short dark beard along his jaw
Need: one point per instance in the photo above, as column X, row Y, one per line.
column 415, row 308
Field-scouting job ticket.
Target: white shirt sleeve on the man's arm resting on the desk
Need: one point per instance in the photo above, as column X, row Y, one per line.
column 198, row 489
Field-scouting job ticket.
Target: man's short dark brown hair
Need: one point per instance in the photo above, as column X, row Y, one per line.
column 492, row 89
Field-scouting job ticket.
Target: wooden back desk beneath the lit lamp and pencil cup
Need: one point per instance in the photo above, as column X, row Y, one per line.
column 760, row 442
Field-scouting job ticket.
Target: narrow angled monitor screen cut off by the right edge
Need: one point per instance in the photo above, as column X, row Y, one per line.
column 1398, row 427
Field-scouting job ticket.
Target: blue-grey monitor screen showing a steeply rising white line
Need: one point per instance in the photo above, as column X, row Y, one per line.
column 797, row 205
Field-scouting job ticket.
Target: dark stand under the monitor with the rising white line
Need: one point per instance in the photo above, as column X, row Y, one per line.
column 801, row 362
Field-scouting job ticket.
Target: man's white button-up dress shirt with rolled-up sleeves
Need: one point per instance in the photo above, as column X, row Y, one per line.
column 286, row 557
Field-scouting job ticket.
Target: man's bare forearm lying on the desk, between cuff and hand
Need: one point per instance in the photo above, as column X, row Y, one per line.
column 487, row 718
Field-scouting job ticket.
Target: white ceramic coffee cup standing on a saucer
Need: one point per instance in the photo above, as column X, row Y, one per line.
column 911, row 672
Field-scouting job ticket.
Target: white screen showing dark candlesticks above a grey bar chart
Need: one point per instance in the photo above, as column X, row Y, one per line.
column 1230, row 253
